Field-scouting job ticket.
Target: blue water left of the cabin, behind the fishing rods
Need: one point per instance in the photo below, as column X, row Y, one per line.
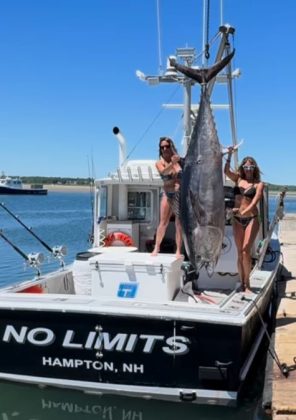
column 58, row 219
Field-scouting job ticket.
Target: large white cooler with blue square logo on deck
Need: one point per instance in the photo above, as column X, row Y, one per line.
column 136, row 275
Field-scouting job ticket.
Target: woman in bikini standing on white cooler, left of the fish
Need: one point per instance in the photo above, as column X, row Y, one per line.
column 170, row 170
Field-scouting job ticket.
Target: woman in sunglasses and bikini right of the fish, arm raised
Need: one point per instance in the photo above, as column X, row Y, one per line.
column 248, row 191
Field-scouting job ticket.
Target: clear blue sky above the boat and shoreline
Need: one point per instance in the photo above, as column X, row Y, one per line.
column 67, row 76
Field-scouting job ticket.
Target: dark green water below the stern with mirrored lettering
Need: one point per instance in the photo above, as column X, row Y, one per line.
column 33, row 403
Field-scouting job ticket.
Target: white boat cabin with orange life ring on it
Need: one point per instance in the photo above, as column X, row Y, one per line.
column 128, row 202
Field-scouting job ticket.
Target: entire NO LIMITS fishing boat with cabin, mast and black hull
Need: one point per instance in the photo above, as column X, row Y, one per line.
column 120, row 321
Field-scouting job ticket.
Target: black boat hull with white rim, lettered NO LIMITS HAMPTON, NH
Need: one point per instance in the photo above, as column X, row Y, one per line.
column 176, row 349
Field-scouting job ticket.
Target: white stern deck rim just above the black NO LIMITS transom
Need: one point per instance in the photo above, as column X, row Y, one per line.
column 207, row 304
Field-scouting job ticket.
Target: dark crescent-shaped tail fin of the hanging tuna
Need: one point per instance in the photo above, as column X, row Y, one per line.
column 203, row 76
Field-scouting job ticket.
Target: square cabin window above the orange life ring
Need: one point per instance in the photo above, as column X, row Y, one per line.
column 139, row 205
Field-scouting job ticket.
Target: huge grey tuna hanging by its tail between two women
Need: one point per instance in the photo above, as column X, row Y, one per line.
column 202, row 192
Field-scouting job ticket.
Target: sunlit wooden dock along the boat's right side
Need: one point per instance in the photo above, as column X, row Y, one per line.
column 279, row 396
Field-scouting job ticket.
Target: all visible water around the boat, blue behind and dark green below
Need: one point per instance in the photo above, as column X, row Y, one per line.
column 65, row 218
